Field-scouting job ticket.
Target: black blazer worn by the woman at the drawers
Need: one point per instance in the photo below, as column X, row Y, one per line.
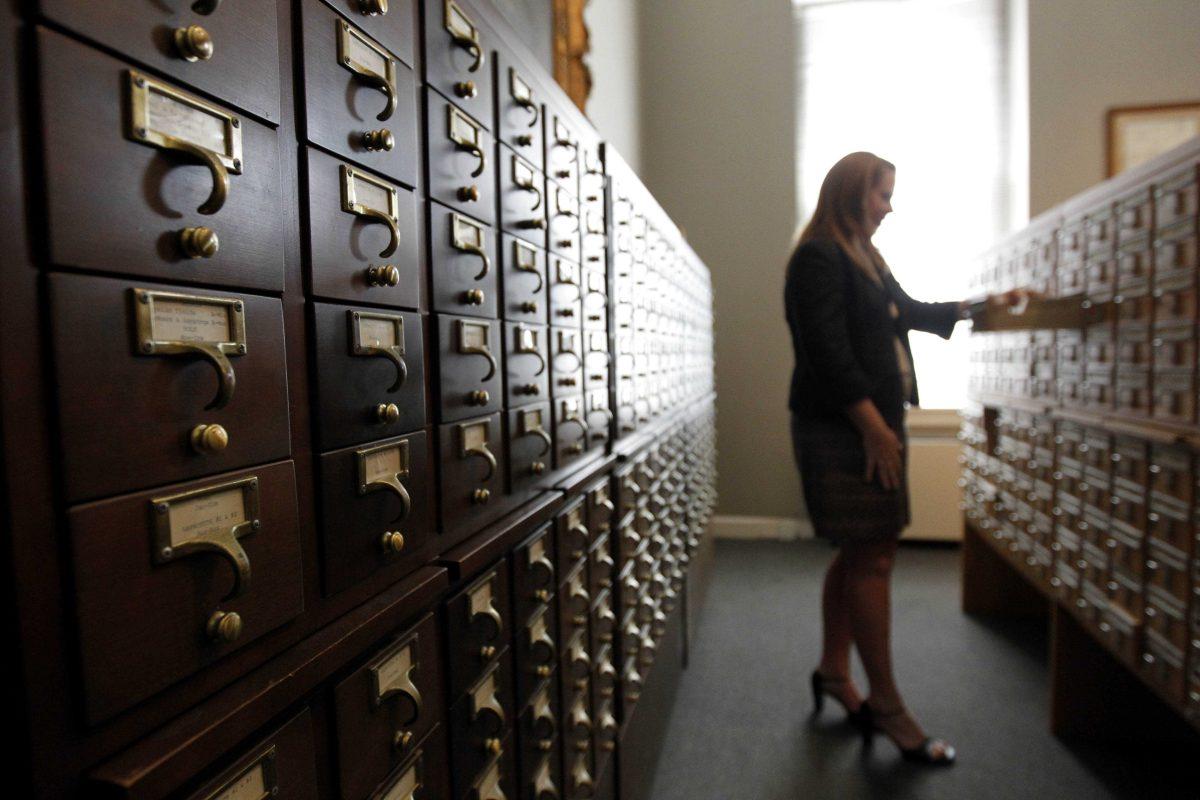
column 843, row 334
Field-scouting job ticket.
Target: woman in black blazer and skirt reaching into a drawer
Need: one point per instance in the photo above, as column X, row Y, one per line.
column 850, row 324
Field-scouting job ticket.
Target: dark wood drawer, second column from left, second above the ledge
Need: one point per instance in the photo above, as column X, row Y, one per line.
column 370, row 375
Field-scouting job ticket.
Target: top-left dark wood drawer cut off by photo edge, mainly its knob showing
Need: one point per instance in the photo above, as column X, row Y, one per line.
column 231, row 53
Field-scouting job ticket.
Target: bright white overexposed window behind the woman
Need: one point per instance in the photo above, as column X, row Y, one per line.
column 925, row 85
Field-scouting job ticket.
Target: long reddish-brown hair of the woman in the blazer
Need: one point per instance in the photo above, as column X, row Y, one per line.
column 841, row 210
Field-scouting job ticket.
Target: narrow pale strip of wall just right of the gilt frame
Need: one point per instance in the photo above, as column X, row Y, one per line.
column 615, row 105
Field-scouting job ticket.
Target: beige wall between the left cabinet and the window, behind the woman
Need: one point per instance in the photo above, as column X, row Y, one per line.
column 718, row 152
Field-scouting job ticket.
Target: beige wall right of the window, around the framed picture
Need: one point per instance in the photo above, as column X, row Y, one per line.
column 1089, row 56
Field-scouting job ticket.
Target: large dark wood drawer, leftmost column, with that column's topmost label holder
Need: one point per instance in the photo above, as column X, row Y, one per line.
column 173, row 222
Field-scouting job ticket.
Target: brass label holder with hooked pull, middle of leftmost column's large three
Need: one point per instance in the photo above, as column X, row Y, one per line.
column 170, row 323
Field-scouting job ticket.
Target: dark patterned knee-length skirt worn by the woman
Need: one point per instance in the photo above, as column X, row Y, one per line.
column 843, row 507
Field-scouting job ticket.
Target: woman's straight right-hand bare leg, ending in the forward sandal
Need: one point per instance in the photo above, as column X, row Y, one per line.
column 869, row 598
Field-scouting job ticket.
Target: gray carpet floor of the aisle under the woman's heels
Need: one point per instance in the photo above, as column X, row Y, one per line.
column 742, row 729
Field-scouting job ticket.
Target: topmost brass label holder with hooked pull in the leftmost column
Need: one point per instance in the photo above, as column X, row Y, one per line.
column 171, row 119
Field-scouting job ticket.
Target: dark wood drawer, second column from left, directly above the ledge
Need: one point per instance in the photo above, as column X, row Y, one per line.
column 377, row 510
